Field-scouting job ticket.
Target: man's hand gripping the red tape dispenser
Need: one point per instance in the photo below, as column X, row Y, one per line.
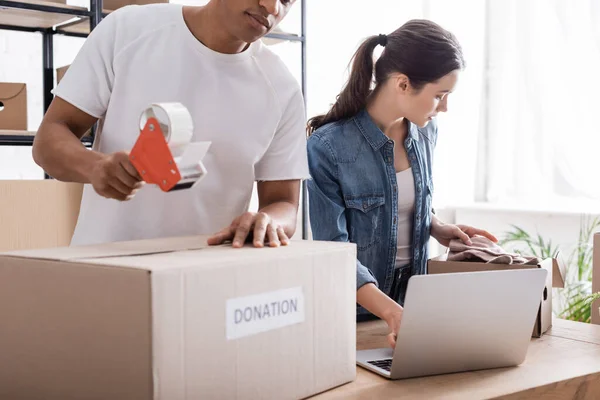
column 114, row 177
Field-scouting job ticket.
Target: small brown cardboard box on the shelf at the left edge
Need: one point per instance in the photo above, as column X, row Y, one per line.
column 13, row 106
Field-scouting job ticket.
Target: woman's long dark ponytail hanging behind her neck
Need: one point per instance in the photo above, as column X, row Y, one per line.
column 353, row 97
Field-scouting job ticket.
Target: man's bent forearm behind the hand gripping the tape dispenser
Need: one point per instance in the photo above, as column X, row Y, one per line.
column 62, row 155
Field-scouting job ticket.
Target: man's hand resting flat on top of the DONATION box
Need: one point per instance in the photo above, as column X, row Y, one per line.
column 259, row 225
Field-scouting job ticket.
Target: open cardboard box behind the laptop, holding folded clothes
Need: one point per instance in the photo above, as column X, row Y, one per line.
column 440, row 265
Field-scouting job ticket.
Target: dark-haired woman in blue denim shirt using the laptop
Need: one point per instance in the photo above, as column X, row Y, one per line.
column 370, row 161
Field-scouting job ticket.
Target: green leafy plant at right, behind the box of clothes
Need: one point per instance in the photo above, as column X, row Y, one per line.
column 574, row 300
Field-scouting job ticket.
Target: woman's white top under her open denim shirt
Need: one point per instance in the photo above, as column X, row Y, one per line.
column 406, row 209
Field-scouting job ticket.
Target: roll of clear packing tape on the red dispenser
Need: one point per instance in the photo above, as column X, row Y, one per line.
column 175, row 122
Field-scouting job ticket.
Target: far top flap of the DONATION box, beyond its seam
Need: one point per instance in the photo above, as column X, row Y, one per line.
column 116, row 249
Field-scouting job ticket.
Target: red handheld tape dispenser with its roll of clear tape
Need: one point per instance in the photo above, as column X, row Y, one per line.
column 163, row 153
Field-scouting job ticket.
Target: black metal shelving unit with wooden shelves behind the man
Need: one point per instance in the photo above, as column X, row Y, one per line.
column 50, row 19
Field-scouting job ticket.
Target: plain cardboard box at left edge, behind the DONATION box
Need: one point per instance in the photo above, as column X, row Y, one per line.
column 38, row 213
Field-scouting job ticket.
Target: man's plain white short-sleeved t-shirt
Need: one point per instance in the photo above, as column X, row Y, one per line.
column 248, row 105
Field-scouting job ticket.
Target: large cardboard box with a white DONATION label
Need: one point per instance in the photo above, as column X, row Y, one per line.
column 175, row 319
